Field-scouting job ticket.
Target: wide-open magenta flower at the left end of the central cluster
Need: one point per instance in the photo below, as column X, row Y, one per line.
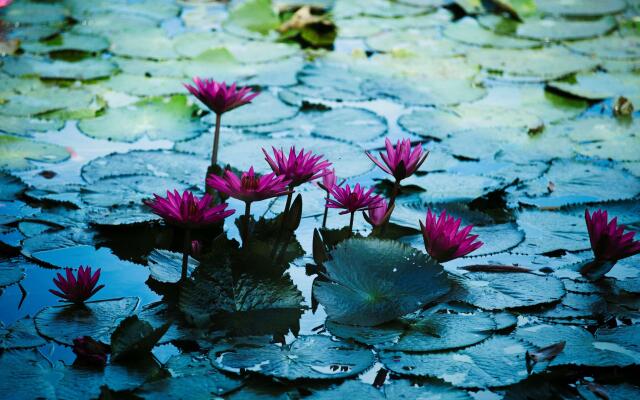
column 188, row 211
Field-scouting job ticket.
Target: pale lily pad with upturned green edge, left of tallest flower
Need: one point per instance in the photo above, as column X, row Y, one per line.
column 156, row 118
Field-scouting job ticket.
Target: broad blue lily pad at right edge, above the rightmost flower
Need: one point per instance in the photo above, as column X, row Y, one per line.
column 579, row 183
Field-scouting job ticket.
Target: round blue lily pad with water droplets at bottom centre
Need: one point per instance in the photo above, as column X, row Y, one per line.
column 308, row 357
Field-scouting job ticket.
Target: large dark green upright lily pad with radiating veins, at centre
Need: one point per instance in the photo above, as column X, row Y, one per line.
column 370, row 282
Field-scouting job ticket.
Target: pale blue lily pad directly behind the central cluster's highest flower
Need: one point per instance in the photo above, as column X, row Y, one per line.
column 246, row 153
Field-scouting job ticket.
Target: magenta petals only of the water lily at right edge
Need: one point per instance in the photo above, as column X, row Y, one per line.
column 609, row 242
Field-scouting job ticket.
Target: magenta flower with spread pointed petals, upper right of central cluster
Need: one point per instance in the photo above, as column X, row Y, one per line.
column 400, row 161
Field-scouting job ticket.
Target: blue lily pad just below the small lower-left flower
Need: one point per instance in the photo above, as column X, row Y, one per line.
column 97, row 319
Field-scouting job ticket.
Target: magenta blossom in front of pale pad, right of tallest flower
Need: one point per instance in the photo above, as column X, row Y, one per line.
column 297, row 168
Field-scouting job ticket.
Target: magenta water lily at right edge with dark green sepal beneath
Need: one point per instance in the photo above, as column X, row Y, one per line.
column 609, row 243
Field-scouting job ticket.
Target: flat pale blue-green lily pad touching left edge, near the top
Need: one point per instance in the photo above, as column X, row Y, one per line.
column 86, row 69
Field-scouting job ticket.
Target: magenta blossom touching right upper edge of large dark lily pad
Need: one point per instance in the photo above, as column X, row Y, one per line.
column 442, row 239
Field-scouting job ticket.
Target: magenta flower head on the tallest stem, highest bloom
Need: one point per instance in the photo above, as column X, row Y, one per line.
column 219, row 97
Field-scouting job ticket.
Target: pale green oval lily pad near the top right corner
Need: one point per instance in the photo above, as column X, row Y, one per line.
column 559, row 29
